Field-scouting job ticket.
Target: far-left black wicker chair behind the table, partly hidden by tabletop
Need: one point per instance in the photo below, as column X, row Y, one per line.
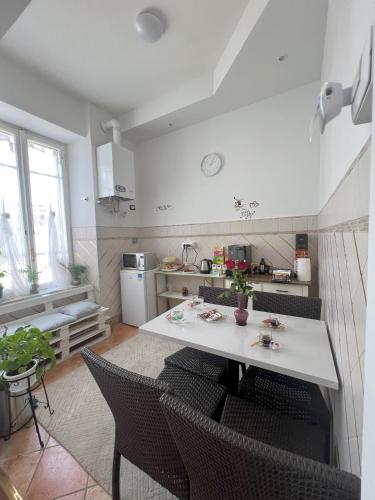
column 203, row 363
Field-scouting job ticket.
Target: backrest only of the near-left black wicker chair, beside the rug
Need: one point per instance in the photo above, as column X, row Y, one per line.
column 142, row 434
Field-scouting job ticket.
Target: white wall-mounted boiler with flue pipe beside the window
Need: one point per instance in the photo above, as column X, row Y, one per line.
column 115, row 166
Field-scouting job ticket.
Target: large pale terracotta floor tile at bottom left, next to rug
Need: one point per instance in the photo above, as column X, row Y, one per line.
column 57, row 474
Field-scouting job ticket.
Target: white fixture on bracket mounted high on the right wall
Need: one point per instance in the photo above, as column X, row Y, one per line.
column 333, row 97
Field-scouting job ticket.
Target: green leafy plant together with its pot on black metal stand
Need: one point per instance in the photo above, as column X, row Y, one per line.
column 21, row 354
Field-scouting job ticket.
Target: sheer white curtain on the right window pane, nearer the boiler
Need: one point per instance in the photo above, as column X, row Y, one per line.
column 57, row 254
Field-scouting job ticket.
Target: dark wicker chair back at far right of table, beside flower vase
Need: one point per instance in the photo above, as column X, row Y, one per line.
column 290, row 305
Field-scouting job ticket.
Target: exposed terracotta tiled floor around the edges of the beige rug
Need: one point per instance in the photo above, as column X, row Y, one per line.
column 53, row 473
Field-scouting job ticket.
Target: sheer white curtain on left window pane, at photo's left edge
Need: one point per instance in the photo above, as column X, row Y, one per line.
column 11, row 260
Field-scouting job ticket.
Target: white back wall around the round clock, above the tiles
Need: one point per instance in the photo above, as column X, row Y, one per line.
column 268, row 158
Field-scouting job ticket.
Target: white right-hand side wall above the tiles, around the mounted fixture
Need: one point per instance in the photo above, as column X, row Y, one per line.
column 348, row 25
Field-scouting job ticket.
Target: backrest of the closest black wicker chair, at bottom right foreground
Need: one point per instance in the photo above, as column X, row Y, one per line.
column 222, row 463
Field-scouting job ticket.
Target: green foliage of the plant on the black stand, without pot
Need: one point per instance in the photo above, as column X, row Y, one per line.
column 19, row 350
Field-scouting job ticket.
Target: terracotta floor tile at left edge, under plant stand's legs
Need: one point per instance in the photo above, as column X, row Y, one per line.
column 22, row 442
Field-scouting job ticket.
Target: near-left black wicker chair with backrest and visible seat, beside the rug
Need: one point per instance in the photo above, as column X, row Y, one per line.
column 141, row 431
